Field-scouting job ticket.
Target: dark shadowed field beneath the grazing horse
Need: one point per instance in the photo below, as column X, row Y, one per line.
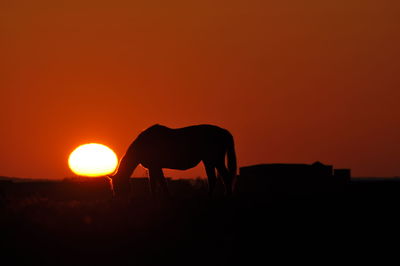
column 78, row 223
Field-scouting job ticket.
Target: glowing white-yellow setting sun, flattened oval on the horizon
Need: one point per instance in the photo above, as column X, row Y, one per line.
column 92, row 159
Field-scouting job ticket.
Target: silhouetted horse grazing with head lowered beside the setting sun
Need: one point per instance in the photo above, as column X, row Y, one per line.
column 161, row 147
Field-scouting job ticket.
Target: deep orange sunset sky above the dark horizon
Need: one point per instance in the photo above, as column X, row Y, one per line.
column 294, row 81
